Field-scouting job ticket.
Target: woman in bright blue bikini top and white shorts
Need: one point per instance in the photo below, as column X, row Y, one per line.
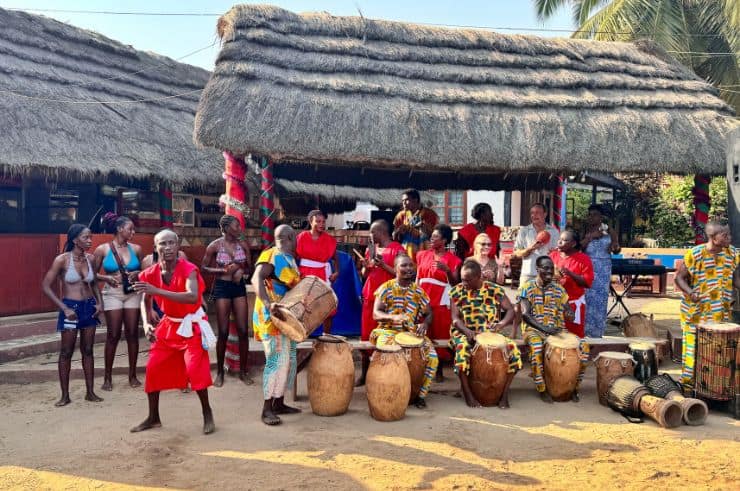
column 121, row 262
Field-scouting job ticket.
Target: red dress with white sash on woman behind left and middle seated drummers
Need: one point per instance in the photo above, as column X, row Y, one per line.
column 435, row 283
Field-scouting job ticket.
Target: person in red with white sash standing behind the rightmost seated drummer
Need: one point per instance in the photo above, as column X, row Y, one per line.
column 574, row 271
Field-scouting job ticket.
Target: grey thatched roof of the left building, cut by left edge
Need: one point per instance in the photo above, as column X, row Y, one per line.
column 52, row 79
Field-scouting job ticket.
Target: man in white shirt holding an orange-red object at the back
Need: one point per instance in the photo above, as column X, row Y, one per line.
column 528, row 247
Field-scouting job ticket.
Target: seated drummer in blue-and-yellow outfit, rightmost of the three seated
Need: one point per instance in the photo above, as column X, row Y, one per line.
column 545, row 308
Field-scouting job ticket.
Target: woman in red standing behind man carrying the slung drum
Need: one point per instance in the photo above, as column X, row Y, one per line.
column 315, row 249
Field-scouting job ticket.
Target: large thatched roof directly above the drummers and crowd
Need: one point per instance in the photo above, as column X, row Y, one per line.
column 348, row 91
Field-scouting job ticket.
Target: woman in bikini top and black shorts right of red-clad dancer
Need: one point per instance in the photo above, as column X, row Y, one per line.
column 230, row 259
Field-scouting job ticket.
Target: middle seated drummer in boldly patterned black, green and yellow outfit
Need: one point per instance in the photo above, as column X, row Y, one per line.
column 475, row 306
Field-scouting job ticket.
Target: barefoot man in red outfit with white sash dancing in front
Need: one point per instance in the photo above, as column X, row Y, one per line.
column 178, row 354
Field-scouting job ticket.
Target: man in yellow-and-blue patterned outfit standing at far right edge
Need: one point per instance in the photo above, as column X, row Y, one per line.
column 706, row 279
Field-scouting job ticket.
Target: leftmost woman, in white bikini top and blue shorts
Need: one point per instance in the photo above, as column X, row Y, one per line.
column 78, row 310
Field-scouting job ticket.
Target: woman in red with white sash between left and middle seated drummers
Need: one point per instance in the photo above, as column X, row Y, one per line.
column 437, row 270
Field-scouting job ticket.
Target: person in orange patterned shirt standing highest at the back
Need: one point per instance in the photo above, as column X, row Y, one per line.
column 413, row 225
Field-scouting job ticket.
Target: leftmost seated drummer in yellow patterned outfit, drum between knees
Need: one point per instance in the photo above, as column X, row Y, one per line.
column 401, row 305
